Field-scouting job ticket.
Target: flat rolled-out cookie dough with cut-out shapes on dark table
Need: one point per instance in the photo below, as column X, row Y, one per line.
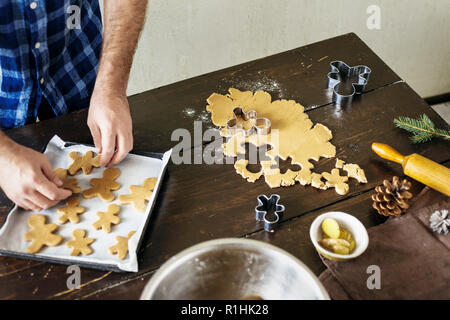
column 293, row 135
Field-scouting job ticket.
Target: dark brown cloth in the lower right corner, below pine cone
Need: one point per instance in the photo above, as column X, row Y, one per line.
column 414, row 261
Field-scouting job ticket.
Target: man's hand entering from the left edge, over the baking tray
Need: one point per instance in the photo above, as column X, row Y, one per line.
column 27, row 177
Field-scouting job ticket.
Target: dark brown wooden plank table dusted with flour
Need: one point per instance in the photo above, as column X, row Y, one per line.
column 202, row 202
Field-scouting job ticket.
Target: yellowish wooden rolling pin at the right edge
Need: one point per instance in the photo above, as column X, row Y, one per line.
column 417, row 167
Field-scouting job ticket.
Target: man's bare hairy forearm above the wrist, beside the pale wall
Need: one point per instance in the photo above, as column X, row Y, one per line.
column 123, row 22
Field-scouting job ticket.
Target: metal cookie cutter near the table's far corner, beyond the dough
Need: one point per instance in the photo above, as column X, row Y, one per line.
column 339, row 68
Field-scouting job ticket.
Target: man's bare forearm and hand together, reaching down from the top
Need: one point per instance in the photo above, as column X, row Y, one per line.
column 109, row 113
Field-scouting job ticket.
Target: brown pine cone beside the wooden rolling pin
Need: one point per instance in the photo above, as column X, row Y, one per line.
column 392, row 197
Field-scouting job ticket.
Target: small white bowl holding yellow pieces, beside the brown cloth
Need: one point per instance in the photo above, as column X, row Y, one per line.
column 346, row 221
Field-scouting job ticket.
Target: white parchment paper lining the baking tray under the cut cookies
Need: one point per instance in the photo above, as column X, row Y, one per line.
column 134, row 169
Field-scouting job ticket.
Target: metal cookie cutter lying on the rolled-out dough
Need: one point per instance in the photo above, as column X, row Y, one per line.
column 260, row 125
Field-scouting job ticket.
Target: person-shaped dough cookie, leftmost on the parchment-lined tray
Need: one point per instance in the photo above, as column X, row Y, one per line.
column 41, row 234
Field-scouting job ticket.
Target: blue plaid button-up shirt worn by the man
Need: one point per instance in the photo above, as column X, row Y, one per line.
column 48, row 49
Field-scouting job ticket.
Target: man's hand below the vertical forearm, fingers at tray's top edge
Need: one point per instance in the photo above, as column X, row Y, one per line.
column 110, row 123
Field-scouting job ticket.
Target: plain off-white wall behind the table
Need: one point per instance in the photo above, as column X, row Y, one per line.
column 186, row 38
